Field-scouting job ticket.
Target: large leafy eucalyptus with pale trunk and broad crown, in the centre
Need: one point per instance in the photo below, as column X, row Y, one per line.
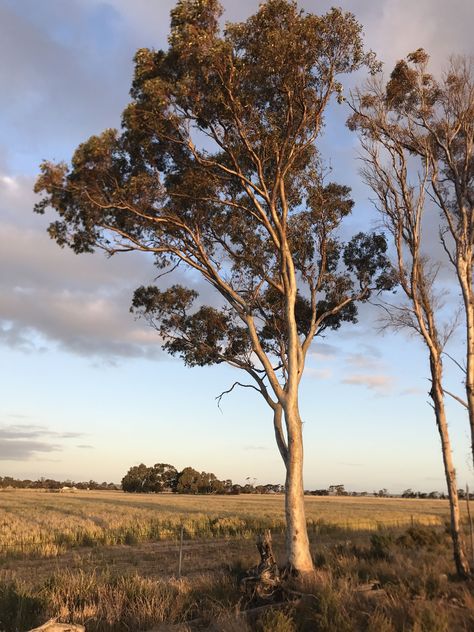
column 217, row 168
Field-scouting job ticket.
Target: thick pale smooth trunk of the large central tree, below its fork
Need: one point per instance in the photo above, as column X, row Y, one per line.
column 297, row 542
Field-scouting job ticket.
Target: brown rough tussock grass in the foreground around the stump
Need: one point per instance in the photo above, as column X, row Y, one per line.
column 414, row 592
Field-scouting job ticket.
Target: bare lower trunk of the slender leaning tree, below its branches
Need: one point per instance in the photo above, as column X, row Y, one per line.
column 460, row 559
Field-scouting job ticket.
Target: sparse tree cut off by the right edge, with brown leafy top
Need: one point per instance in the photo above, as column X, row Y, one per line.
column 433, row 120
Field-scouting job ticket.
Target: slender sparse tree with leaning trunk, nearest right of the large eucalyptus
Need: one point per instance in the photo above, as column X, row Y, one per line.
column 402, row 204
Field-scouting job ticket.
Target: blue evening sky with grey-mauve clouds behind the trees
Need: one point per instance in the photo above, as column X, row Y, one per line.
column 85, row 389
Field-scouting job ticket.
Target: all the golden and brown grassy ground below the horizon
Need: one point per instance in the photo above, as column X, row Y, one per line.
column 357, row 544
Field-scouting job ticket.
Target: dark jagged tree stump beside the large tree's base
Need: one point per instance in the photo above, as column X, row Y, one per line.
column 263, row 582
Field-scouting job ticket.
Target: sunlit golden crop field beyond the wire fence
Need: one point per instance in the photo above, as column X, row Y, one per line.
column 44, row 524
